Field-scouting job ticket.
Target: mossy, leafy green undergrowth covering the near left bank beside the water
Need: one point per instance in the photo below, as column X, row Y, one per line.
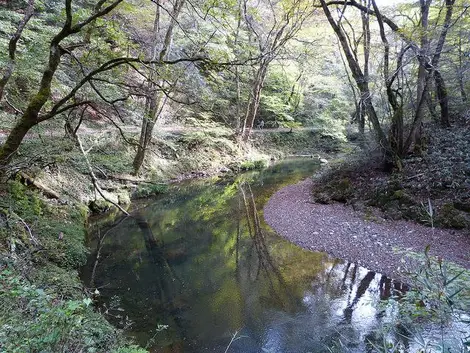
column 43, row 307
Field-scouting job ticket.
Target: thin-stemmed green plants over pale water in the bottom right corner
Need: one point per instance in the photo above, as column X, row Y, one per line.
column 432, row 314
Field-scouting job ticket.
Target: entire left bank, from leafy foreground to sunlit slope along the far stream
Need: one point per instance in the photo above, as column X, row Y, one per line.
column 43, row 224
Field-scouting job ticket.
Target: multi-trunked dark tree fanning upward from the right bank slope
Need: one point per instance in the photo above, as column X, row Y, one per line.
column 397, row 145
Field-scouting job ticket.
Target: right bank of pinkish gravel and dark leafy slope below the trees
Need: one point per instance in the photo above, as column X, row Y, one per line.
column 355, row 211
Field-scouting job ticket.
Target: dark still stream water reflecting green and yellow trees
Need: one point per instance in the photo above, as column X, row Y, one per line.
column 198, row 265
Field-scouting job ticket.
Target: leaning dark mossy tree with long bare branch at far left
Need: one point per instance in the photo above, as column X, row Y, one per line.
column 40, row 107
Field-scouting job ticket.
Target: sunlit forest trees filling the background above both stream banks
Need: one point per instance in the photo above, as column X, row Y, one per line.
column 382, row 69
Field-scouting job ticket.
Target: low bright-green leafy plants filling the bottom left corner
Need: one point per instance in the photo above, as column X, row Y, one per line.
column 34, row 319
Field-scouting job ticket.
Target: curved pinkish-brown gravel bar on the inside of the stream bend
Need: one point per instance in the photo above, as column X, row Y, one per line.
column 343, row 233
